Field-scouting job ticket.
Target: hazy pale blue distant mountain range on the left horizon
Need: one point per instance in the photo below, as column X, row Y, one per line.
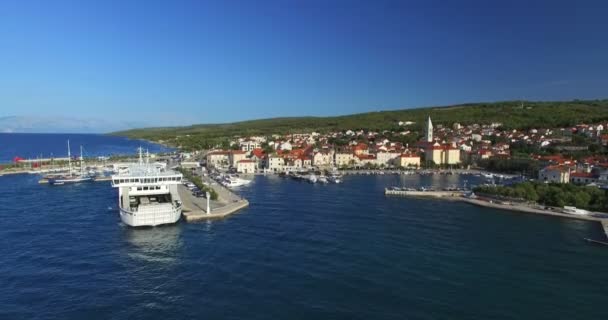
column 42, row 124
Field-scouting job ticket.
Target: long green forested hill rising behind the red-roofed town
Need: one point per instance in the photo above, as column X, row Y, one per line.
column 512, row 114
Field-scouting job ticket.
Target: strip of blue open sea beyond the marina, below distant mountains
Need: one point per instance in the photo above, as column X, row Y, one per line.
column 33, row 145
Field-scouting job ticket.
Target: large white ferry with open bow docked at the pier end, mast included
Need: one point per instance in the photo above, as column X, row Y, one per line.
column 147, row 194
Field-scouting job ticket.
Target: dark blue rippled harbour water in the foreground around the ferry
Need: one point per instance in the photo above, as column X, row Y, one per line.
column 300, row 251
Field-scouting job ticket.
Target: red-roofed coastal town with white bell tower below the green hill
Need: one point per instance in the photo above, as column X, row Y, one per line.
column 559, row 155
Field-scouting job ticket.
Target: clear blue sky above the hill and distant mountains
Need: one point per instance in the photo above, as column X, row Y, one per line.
column 181, row 62
